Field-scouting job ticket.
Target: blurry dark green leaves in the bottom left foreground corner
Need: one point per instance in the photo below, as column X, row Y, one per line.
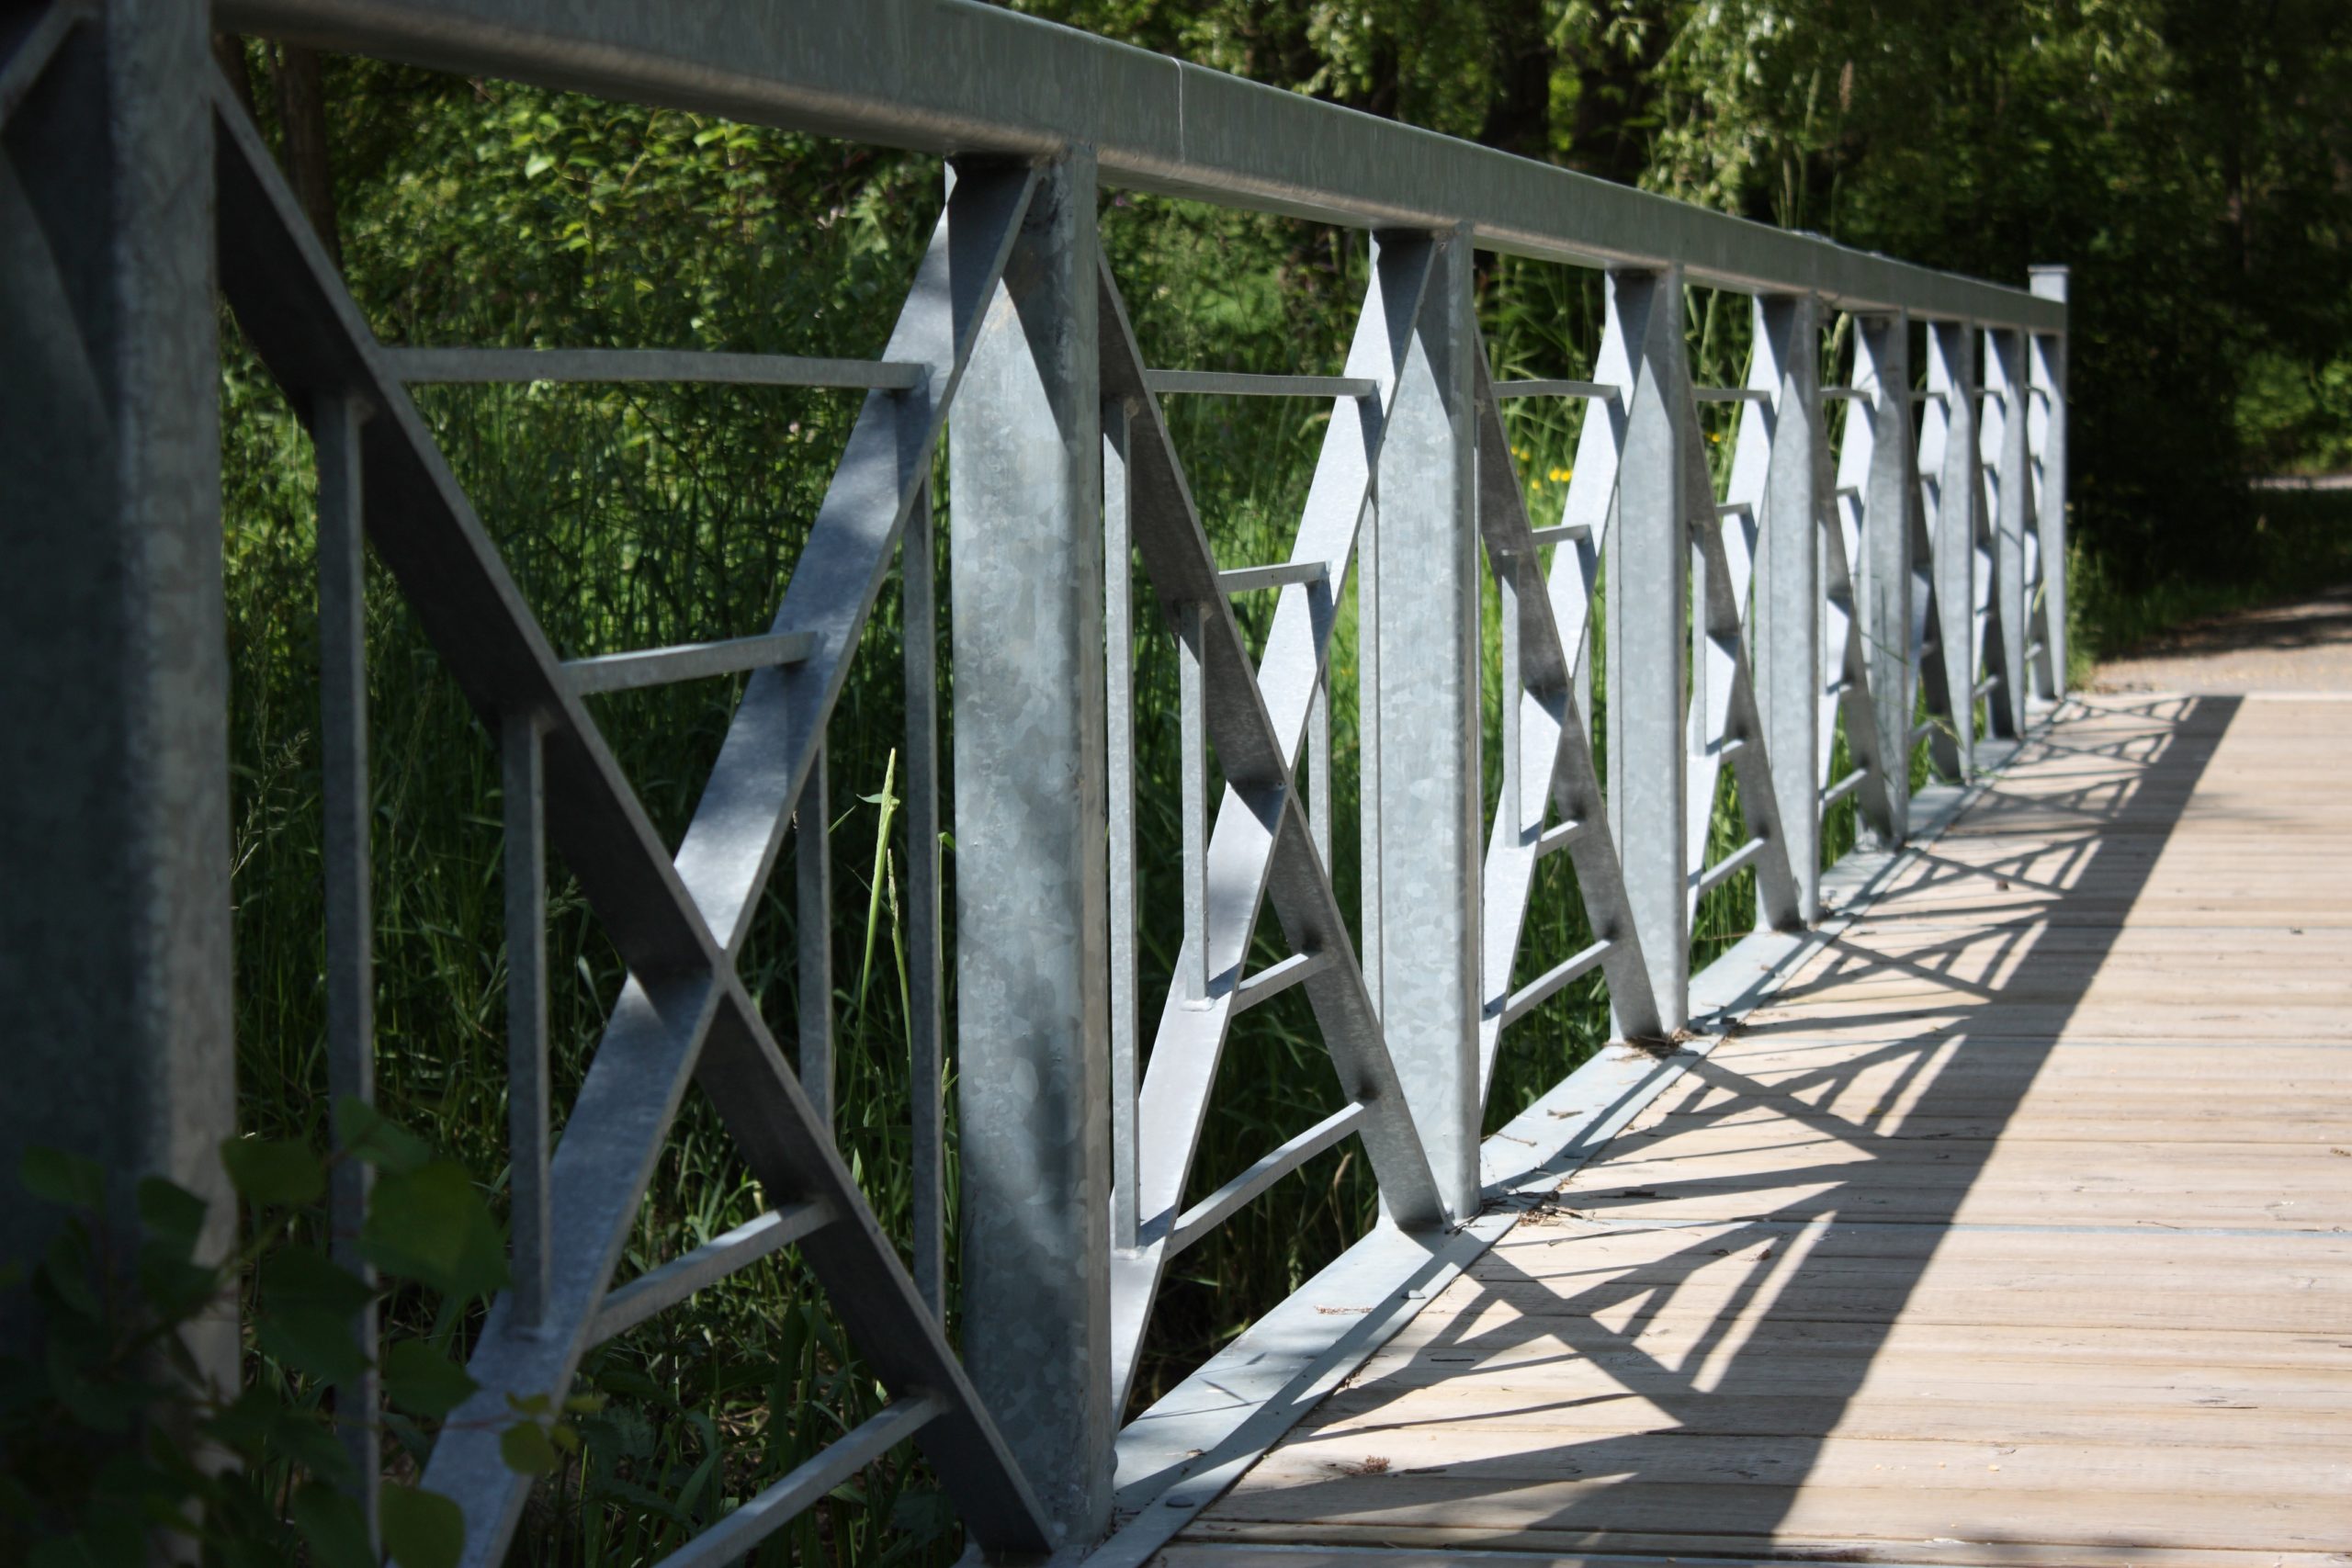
column 109, row 1433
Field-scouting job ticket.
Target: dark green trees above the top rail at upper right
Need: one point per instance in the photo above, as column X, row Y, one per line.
column 2189, row 159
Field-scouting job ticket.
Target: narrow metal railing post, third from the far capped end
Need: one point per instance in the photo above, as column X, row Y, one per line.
column 1949, row 453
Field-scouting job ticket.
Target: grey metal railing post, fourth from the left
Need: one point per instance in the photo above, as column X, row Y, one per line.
column 1648, row 615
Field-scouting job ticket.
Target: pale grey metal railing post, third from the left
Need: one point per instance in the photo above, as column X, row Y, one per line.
column 1429, row 725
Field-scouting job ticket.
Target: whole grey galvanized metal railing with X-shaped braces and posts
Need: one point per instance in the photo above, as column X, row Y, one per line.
column 1883, row 591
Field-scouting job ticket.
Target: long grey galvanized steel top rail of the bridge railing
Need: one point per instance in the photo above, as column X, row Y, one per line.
column 871, row 69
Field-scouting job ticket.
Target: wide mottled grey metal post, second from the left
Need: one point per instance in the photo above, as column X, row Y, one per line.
column 1034, row 960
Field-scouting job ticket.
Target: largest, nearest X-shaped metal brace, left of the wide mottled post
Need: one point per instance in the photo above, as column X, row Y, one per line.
column 683, row 1012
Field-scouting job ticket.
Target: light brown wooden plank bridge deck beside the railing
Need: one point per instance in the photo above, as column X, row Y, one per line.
column 2019, row 1231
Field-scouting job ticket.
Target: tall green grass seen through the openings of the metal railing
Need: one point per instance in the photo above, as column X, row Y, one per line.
column 653, row 516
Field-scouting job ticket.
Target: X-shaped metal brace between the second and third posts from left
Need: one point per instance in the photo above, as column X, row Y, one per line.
column 1262, row 845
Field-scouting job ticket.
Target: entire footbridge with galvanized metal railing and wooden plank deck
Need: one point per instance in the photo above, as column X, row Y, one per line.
column 1982, row 1207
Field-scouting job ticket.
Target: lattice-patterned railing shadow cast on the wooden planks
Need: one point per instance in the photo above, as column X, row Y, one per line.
column 1730, row 1381
